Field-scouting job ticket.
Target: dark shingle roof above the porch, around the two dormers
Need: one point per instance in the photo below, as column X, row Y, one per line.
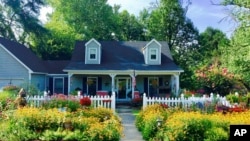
column 118, row 55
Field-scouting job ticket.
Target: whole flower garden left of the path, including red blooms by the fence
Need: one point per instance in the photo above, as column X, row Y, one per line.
column 59, row 119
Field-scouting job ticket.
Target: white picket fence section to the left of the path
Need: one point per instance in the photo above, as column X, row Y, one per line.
column 96, row 101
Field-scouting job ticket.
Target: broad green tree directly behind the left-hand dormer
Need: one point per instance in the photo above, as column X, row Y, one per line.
column 90, row 18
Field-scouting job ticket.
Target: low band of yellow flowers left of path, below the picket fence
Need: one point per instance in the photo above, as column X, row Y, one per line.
column 29, row 123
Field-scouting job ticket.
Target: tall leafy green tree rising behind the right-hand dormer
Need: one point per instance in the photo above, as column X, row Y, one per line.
column 168, row 22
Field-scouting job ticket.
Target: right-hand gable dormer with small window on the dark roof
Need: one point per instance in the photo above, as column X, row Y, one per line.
column 152, row 53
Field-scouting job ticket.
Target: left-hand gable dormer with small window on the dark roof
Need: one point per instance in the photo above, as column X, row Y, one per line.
column 92, row 52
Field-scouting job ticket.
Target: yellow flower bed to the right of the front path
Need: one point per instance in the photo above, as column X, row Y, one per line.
column 156, row 122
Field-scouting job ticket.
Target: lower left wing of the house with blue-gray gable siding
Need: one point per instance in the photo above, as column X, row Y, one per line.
column 19, row 66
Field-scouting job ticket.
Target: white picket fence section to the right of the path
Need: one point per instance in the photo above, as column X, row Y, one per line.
column 184, row 102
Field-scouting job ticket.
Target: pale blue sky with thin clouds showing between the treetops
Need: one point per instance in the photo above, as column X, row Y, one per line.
column 202, row 12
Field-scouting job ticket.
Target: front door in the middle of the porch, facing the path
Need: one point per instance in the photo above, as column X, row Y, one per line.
column 123, row 86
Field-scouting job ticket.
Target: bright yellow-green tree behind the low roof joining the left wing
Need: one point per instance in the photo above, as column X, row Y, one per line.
column 59, row 41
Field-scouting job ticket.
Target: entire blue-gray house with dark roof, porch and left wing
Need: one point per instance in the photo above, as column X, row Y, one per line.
column 95, row 66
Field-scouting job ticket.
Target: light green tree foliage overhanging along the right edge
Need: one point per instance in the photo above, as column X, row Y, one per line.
column 239, row 62
